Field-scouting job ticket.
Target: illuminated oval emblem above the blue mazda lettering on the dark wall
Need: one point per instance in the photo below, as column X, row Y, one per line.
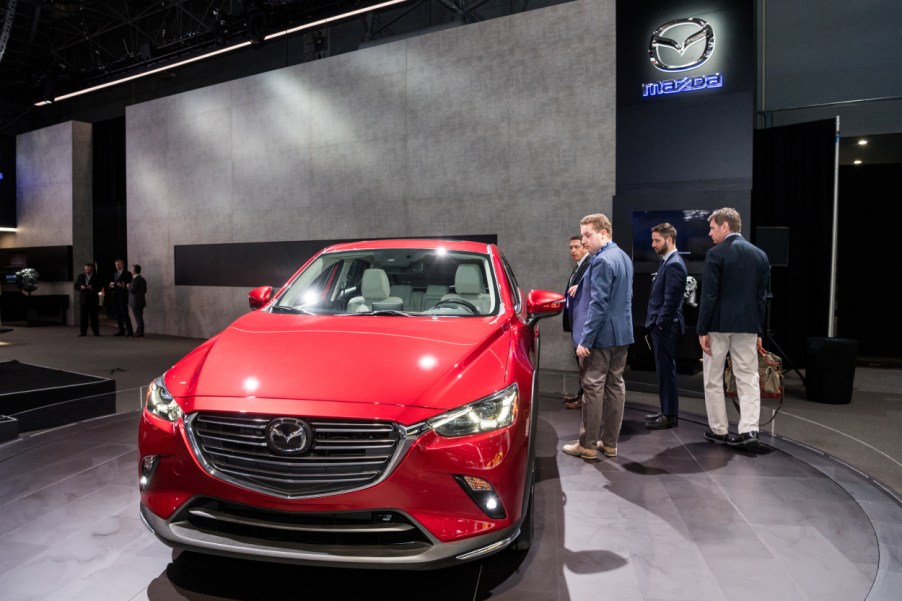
column 681, row 45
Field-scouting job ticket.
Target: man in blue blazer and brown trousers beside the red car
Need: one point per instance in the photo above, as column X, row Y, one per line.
column 602, row 333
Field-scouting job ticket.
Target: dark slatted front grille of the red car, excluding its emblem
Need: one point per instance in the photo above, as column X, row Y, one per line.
column 344, row 454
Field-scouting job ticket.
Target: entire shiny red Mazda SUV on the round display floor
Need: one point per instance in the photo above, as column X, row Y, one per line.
column 378, row 411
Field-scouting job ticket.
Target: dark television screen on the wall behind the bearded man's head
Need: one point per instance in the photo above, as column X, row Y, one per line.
column 692, row 233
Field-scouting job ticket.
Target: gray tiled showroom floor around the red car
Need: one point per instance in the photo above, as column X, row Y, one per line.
column 672, row 518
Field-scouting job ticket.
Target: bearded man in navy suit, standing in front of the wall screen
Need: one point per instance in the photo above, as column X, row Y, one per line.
column 664, row 319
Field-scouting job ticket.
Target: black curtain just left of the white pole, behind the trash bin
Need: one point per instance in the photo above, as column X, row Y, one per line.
column 792, row 187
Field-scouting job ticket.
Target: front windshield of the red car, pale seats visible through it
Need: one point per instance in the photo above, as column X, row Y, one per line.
column 394, row 282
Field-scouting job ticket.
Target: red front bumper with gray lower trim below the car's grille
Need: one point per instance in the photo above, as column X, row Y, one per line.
column 417, row 517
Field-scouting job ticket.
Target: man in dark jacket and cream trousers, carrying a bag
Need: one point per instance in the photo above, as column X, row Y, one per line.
column 731, row 320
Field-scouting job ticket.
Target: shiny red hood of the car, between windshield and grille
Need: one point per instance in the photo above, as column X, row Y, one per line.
column 435, row 363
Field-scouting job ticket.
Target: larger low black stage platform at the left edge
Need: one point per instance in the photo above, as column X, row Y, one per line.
column 34, row 398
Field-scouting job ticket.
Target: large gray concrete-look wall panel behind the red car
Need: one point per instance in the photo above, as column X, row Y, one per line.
column 502, row 127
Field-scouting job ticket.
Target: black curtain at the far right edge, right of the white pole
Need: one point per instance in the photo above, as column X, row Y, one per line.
column 868, row 254
